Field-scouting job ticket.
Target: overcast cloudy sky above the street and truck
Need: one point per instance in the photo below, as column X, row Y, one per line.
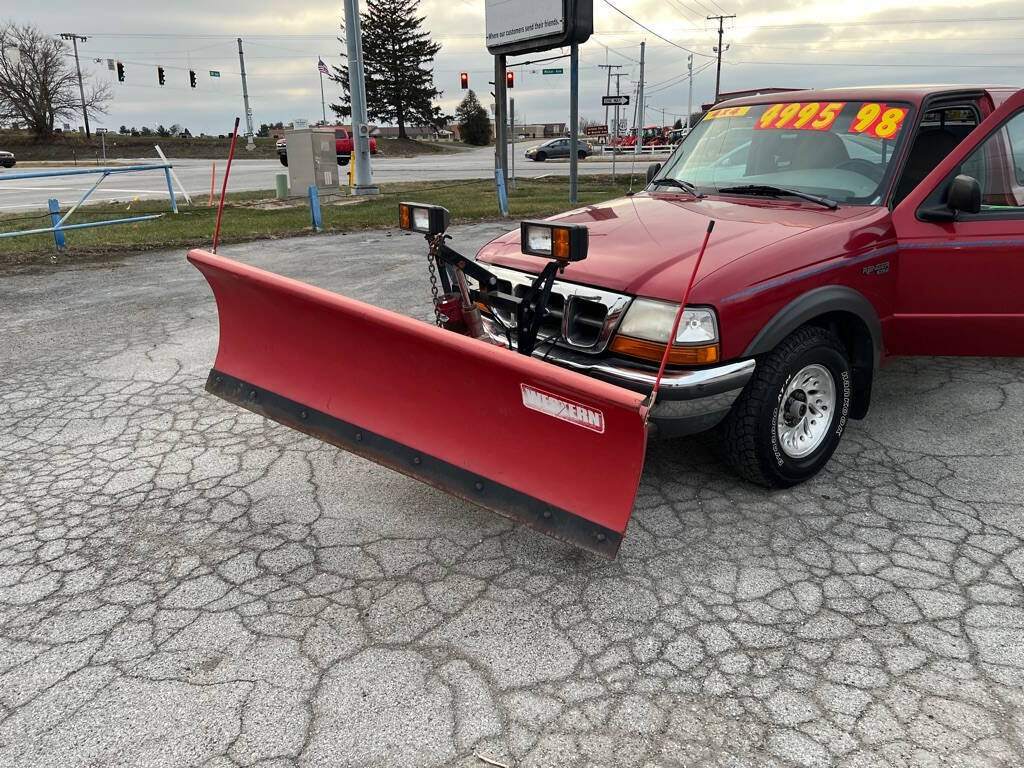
column 773, row 44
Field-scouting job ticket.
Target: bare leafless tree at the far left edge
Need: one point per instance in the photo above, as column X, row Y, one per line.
column 38, row 84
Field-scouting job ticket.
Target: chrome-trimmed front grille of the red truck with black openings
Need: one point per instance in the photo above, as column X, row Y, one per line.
column 581, row 317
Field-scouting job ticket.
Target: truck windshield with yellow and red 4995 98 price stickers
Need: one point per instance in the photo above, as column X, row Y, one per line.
column 840, row 150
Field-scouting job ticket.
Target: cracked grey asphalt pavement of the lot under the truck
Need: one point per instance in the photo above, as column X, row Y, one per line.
column 183, row 583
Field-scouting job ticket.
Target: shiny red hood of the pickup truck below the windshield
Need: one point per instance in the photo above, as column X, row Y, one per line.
column 647, row 245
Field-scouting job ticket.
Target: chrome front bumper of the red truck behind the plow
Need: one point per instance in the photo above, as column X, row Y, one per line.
column 689, row 402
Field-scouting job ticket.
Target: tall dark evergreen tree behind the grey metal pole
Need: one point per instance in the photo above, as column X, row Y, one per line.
column 398, row 58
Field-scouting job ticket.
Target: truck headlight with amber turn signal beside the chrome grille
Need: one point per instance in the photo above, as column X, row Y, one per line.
column 646, row 329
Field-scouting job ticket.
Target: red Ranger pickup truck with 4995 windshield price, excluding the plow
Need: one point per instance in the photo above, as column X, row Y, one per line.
column 854, row 226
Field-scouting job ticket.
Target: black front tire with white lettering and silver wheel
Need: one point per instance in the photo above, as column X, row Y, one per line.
column 788, row 422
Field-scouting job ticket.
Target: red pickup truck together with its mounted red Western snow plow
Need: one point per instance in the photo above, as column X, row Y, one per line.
column 789, row 247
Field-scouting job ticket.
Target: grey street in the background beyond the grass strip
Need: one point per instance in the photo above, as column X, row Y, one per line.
column 246, row 176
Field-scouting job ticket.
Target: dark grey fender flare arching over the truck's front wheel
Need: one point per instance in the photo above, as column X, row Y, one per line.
column 821, row 302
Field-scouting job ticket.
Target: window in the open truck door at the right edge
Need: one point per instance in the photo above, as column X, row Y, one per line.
column 999, row 166
